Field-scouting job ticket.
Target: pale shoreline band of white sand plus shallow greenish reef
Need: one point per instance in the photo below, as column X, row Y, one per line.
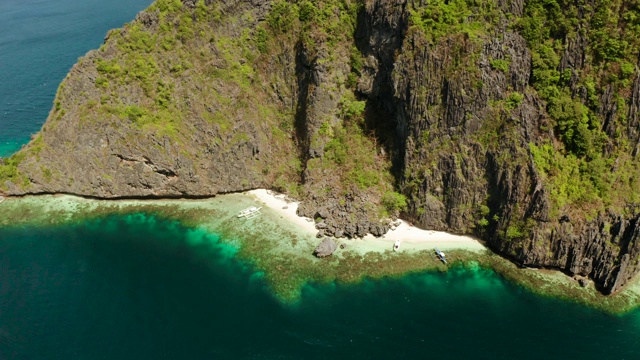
column 284, row 251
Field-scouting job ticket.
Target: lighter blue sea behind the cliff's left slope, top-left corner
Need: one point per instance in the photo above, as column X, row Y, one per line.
column 39, row 42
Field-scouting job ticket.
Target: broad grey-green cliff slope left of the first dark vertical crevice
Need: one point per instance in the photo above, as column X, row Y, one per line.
column 167, row 107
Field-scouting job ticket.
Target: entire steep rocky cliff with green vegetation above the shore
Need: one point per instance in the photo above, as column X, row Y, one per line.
column 515, row 121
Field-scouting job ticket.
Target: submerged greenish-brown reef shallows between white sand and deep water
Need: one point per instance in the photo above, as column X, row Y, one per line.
column 283, row 253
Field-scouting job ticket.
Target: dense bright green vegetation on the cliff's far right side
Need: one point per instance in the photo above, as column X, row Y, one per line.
column 589, row 170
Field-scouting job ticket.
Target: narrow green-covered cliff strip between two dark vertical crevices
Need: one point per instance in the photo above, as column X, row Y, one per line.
column 351, row 164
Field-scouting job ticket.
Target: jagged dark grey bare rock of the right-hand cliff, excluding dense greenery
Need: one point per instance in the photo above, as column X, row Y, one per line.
column 448, row 169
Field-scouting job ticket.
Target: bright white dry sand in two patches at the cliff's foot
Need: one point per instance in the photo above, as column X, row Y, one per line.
column 412, row 238
